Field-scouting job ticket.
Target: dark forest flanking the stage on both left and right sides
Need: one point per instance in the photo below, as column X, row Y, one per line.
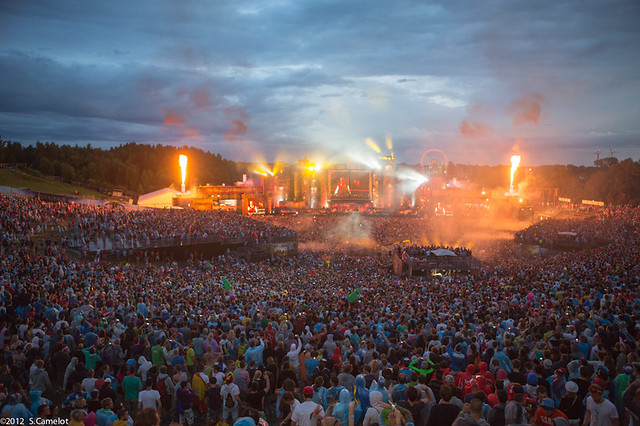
column 141, row 168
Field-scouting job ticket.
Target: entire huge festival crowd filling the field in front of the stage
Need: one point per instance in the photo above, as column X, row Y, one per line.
column 536, row 340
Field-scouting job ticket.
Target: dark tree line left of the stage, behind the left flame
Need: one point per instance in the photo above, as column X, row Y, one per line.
column 132, row 167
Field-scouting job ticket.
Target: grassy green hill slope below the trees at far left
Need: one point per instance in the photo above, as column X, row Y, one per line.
column 24, row 179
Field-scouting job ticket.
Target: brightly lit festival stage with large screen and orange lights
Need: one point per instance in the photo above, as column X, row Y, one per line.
column 311, row 186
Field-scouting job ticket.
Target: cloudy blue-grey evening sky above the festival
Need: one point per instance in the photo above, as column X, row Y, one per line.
column 278, row 79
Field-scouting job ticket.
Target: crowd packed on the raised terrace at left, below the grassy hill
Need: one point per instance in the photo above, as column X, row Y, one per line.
column 97, row 226
